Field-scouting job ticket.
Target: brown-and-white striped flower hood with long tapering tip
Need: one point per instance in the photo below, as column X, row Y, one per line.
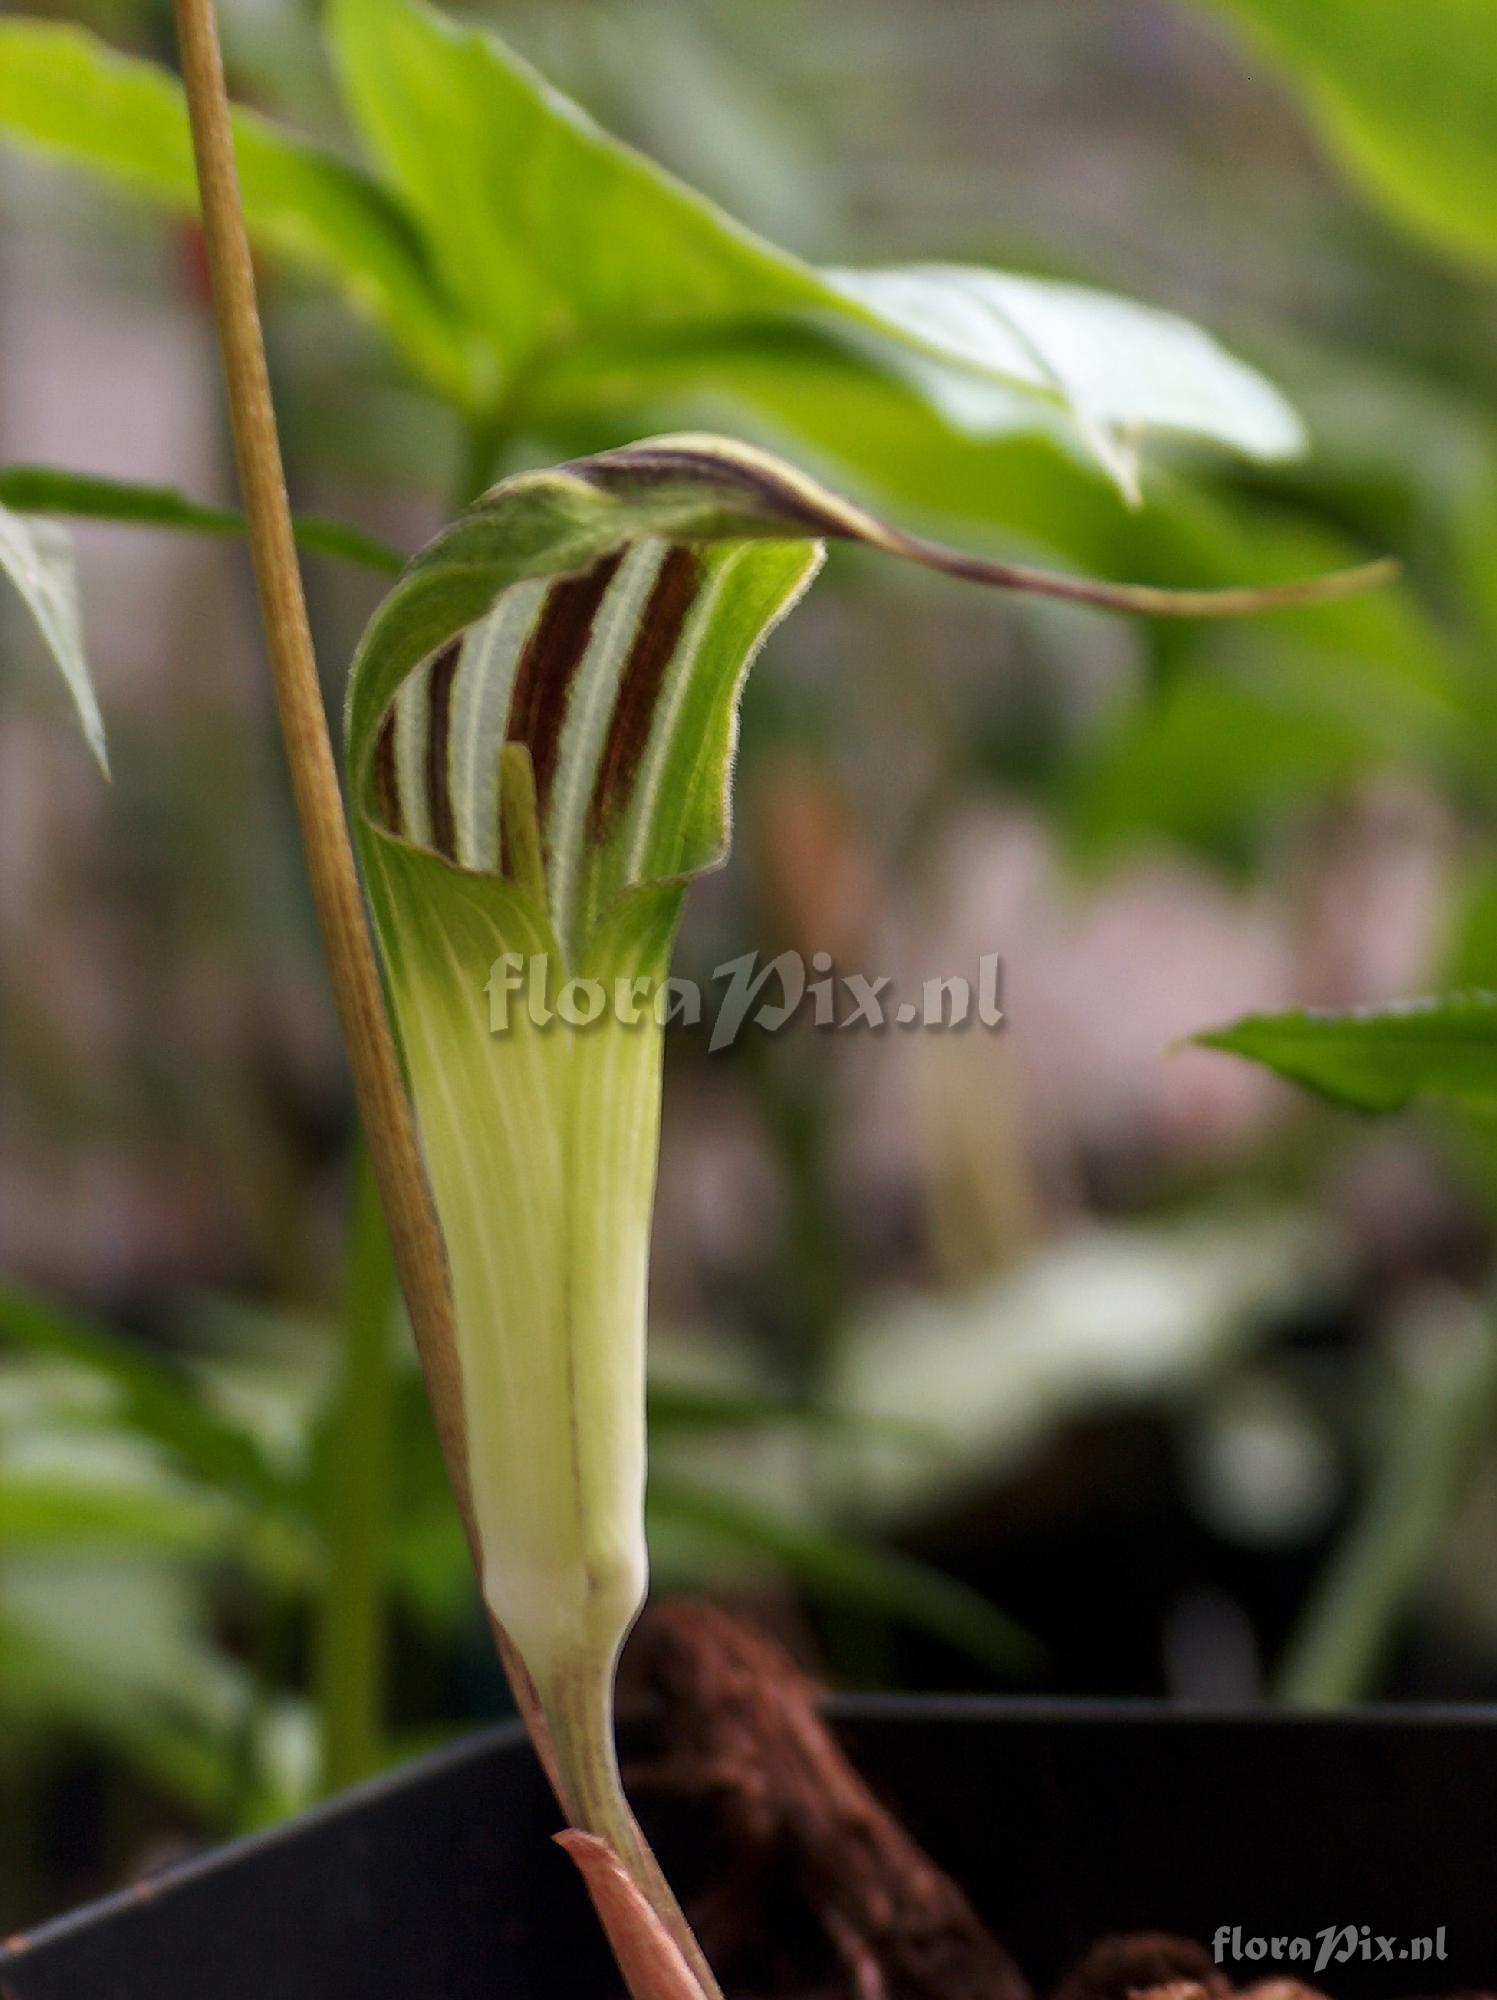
column 617, row 661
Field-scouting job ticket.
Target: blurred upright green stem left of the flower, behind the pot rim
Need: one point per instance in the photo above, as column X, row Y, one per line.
column 351, row 1635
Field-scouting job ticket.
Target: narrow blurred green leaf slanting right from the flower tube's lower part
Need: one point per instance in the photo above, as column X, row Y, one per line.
column 840, row 1569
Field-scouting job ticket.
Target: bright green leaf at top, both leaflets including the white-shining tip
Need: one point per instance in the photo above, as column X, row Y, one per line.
column 517, row 245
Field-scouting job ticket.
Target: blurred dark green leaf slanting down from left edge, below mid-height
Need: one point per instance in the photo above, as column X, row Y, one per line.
column 155, row 1401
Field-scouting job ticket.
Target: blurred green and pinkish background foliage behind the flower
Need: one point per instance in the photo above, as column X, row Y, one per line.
column 1066, row 1359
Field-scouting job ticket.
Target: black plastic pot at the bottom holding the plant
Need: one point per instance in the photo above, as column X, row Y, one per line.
column 1064, row 1823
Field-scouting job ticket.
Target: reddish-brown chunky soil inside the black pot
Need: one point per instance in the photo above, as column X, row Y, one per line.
column 816, row 1891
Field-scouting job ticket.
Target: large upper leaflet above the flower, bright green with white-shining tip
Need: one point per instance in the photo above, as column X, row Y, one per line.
column 559, row 241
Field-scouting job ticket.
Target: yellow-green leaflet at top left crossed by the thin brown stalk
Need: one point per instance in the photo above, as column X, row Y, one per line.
column 69, row 95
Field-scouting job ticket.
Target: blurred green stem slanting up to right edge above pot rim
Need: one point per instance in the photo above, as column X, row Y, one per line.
column 1442, row 1435
